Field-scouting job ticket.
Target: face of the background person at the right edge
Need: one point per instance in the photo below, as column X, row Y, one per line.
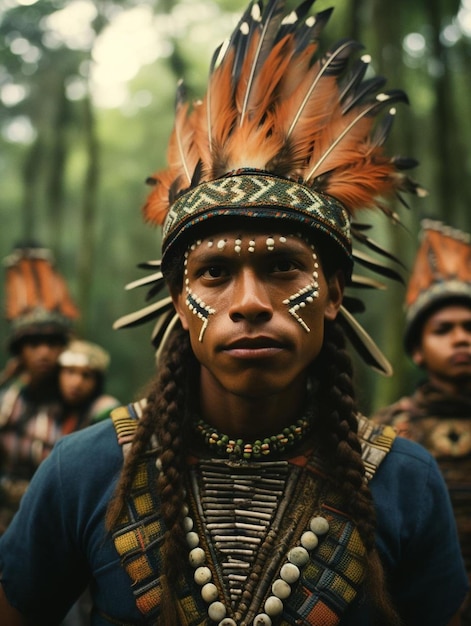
column 445, row 350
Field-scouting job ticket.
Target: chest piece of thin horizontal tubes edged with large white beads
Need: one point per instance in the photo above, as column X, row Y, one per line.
column 241, row 509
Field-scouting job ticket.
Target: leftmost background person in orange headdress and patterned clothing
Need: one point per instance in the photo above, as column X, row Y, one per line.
column 41, row 313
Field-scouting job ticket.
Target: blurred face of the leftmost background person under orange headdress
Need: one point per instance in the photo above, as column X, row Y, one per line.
column 39, row 354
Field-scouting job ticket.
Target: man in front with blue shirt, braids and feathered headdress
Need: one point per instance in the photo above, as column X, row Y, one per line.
column 251, row 491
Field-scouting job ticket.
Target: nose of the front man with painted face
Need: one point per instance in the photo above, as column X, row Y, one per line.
column 251, row 298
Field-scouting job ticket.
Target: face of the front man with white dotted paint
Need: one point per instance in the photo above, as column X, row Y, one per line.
column 255, row 305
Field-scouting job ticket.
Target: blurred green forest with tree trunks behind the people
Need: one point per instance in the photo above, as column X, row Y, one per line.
column 87, row 98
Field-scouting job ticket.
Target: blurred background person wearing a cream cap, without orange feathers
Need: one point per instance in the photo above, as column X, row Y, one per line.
column 82, row 374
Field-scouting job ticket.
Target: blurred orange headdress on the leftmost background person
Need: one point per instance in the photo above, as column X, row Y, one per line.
column 37, row 298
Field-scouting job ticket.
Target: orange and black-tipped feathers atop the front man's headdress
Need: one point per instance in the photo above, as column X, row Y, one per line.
column 271, row 105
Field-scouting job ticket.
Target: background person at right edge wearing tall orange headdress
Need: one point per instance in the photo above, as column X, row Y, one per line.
column 438, row 339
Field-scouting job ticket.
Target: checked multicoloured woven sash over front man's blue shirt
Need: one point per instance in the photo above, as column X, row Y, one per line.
column 329, row 582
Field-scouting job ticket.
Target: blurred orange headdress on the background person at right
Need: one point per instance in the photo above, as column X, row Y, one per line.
column 441, row 273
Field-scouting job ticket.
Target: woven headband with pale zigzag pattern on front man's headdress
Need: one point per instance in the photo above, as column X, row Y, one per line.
column 261, row 195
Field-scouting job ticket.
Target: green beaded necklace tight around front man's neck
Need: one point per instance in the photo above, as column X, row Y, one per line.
column 238, row 449
